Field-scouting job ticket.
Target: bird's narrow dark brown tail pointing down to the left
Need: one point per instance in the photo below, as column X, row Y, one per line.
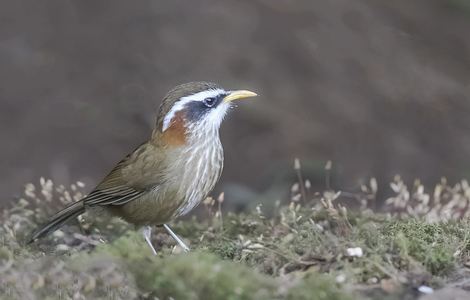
column 57, row 220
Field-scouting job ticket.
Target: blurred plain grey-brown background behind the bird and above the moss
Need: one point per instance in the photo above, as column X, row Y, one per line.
column 379, row 87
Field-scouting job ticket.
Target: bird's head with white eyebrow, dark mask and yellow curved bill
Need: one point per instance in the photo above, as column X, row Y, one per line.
column 195, row 110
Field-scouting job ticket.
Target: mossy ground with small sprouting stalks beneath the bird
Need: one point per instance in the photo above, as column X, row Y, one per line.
column 299, row 252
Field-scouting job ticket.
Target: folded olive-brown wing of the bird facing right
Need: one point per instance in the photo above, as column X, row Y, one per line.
column 132, row 177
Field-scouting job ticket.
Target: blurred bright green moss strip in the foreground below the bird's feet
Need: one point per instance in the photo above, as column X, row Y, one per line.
column 203, row 275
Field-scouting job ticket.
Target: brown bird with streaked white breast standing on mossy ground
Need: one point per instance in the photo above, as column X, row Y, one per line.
column 171, row 173
